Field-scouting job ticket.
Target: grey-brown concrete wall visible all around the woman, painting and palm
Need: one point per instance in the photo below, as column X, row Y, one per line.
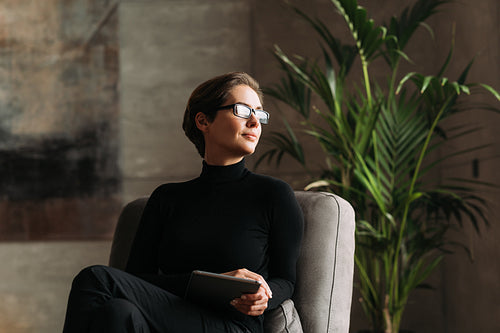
column 167, row 47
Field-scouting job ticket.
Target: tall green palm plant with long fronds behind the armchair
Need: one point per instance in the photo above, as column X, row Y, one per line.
column 378, row 137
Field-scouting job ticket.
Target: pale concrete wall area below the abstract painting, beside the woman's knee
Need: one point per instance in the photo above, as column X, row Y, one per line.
column 35, row 280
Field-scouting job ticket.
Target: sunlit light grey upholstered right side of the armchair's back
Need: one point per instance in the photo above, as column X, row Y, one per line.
column 325, row 268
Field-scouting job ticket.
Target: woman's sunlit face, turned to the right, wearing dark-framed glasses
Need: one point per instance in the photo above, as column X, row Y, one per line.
column 229, row 138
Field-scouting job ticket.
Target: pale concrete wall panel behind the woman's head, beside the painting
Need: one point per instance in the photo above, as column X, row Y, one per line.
column 166, row 49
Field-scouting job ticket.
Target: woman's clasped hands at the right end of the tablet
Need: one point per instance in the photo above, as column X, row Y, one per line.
column 252, row 304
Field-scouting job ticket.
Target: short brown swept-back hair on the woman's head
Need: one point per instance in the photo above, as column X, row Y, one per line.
column 207, row 97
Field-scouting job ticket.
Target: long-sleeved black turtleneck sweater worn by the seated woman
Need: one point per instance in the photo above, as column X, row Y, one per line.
column 227, row 218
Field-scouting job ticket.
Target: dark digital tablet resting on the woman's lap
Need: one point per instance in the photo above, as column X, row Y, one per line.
column 218, row 289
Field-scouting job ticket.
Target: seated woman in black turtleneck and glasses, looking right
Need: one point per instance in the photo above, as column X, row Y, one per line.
column 228, row 220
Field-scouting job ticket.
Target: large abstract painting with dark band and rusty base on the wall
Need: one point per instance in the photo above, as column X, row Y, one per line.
column 59, row 135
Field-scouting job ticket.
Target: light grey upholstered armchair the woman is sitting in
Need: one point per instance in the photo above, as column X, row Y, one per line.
column 323, row 293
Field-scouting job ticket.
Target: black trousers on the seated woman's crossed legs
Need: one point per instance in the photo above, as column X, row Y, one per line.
column 107, row 300
